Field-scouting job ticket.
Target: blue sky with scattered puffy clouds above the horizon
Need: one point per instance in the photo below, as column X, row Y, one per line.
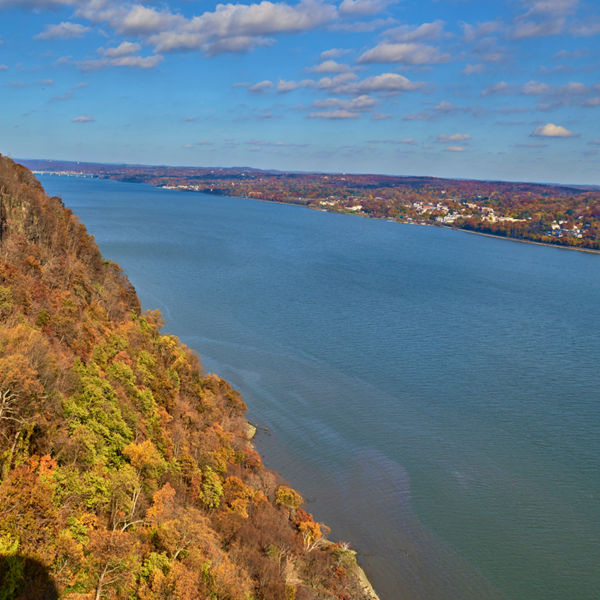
column 454, row 88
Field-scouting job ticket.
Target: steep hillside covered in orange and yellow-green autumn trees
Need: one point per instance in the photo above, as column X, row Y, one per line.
column 125, row 470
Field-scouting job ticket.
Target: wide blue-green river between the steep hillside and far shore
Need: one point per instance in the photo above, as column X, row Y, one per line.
column 433, row 394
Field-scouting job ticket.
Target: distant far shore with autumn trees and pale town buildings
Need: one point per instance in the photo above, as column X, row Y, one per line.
column 543, row 213
